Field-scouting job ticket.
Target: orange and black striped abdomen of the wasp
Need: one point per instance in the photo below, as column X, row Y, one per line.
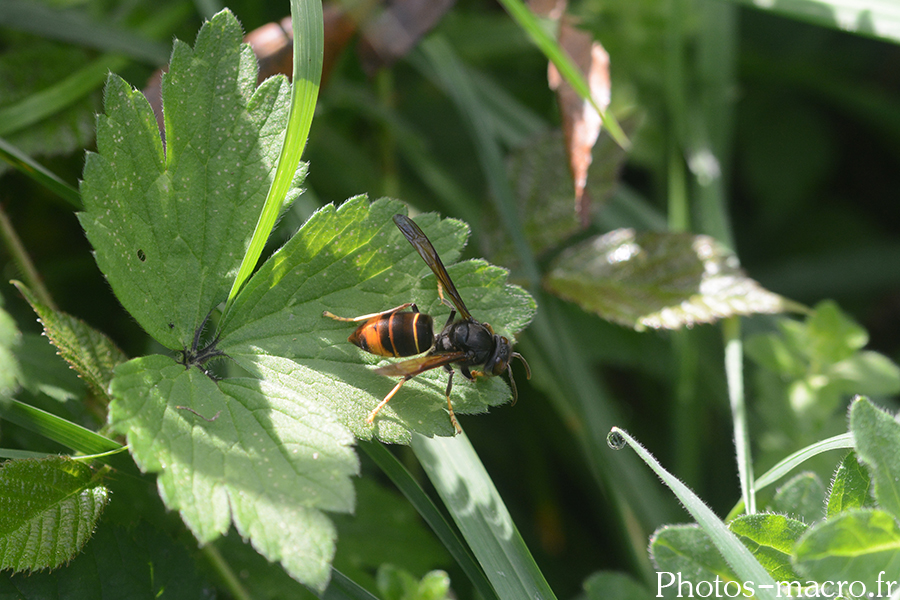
column 395, row 334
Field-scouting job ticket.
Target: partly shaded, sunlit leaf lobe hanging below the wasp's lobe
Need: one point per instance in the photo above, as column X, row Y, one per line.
column 259, row 454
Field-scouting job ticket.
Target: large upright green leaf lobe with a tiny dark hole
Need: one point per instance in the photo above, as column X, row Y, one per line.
column 170, row 227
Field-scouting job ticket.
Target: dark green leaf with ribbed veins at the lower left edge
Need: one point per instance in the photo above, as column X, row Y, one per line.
column 49, row 510
